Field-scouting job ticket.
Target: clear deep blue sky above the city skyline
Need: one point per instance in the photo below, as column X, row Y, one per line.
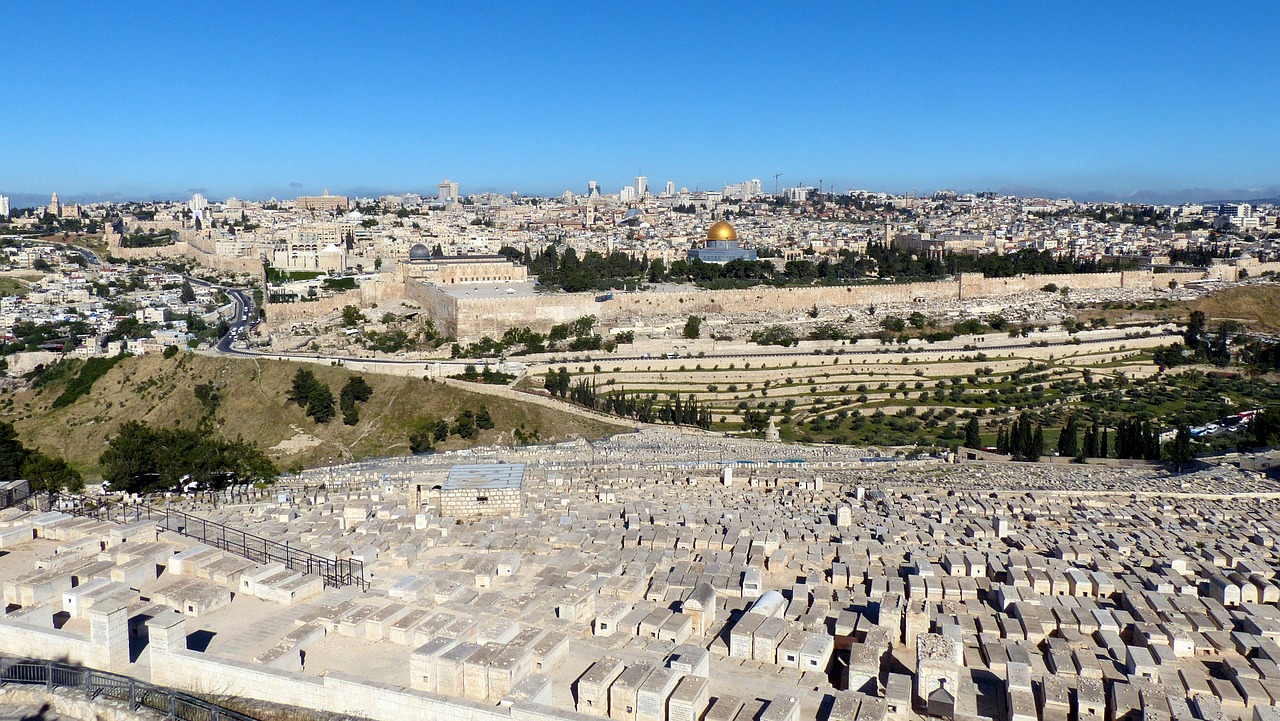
column 278, row 98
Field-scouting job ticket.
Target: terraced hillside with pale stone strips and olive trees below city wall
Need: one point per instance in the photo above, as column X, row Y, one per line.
column 867, row 394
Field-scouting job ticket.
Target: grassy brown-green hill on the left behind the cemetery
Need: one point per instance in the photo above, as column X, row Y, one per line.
column 253, row 405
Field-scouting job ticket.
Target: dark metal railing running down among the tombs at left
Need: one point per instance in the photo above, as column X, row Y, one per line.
column 336, row 572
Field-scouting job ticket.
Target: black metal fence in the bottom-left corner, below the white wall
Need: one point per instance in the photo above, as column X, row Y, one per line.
column 102, row 685
